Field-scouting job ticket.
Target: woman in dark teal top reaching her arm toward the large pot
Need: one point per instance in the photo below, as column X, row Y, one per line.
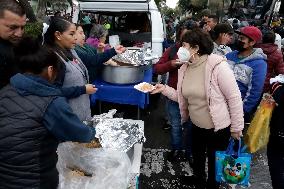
column 89, row 56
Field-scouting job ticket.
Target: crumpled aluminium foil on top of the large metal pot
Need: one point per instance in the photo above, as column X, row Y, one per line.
column 133, row 57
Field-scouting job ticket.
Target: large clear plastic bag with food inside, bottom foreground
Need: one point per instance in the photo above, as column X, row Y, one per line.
column 103, row 168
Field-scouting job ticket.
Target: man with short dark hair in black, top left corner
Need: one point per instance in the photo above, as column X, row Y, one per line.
column 12, row 22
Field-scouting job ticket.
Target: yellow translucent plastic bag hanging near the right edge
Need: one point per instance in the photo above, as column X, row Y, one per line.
column 257, row 135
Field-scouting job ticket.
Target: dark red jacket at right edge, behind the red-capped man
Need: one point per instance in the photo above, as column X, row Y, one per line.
column 275, row 64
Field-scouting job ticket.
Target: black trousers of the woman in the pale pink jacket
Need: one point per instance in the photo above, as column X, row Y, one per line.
column 205, row 142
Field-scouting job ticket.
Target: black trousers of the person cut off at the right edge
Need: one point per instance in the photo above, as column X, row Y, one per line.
column 275, row 157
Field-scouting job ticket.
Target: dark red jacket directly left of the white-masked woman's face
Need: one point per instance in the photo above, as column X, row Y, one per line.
column 164, row 65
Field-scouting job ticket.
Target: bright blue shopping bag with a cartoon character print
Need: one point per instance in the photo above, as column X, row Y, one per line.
column 233, row 167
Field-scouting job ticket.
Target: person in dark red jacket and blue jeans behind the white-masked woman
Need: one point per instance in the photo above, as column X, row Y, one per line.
column 168, row 63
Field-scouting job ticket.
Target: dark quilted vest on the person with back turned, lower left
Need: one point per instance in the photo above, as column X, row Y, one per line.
column 27, row 149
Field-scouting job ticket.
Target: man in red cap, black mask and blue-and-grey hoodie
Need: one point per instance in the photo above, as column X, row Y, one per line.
column 249, row 66
